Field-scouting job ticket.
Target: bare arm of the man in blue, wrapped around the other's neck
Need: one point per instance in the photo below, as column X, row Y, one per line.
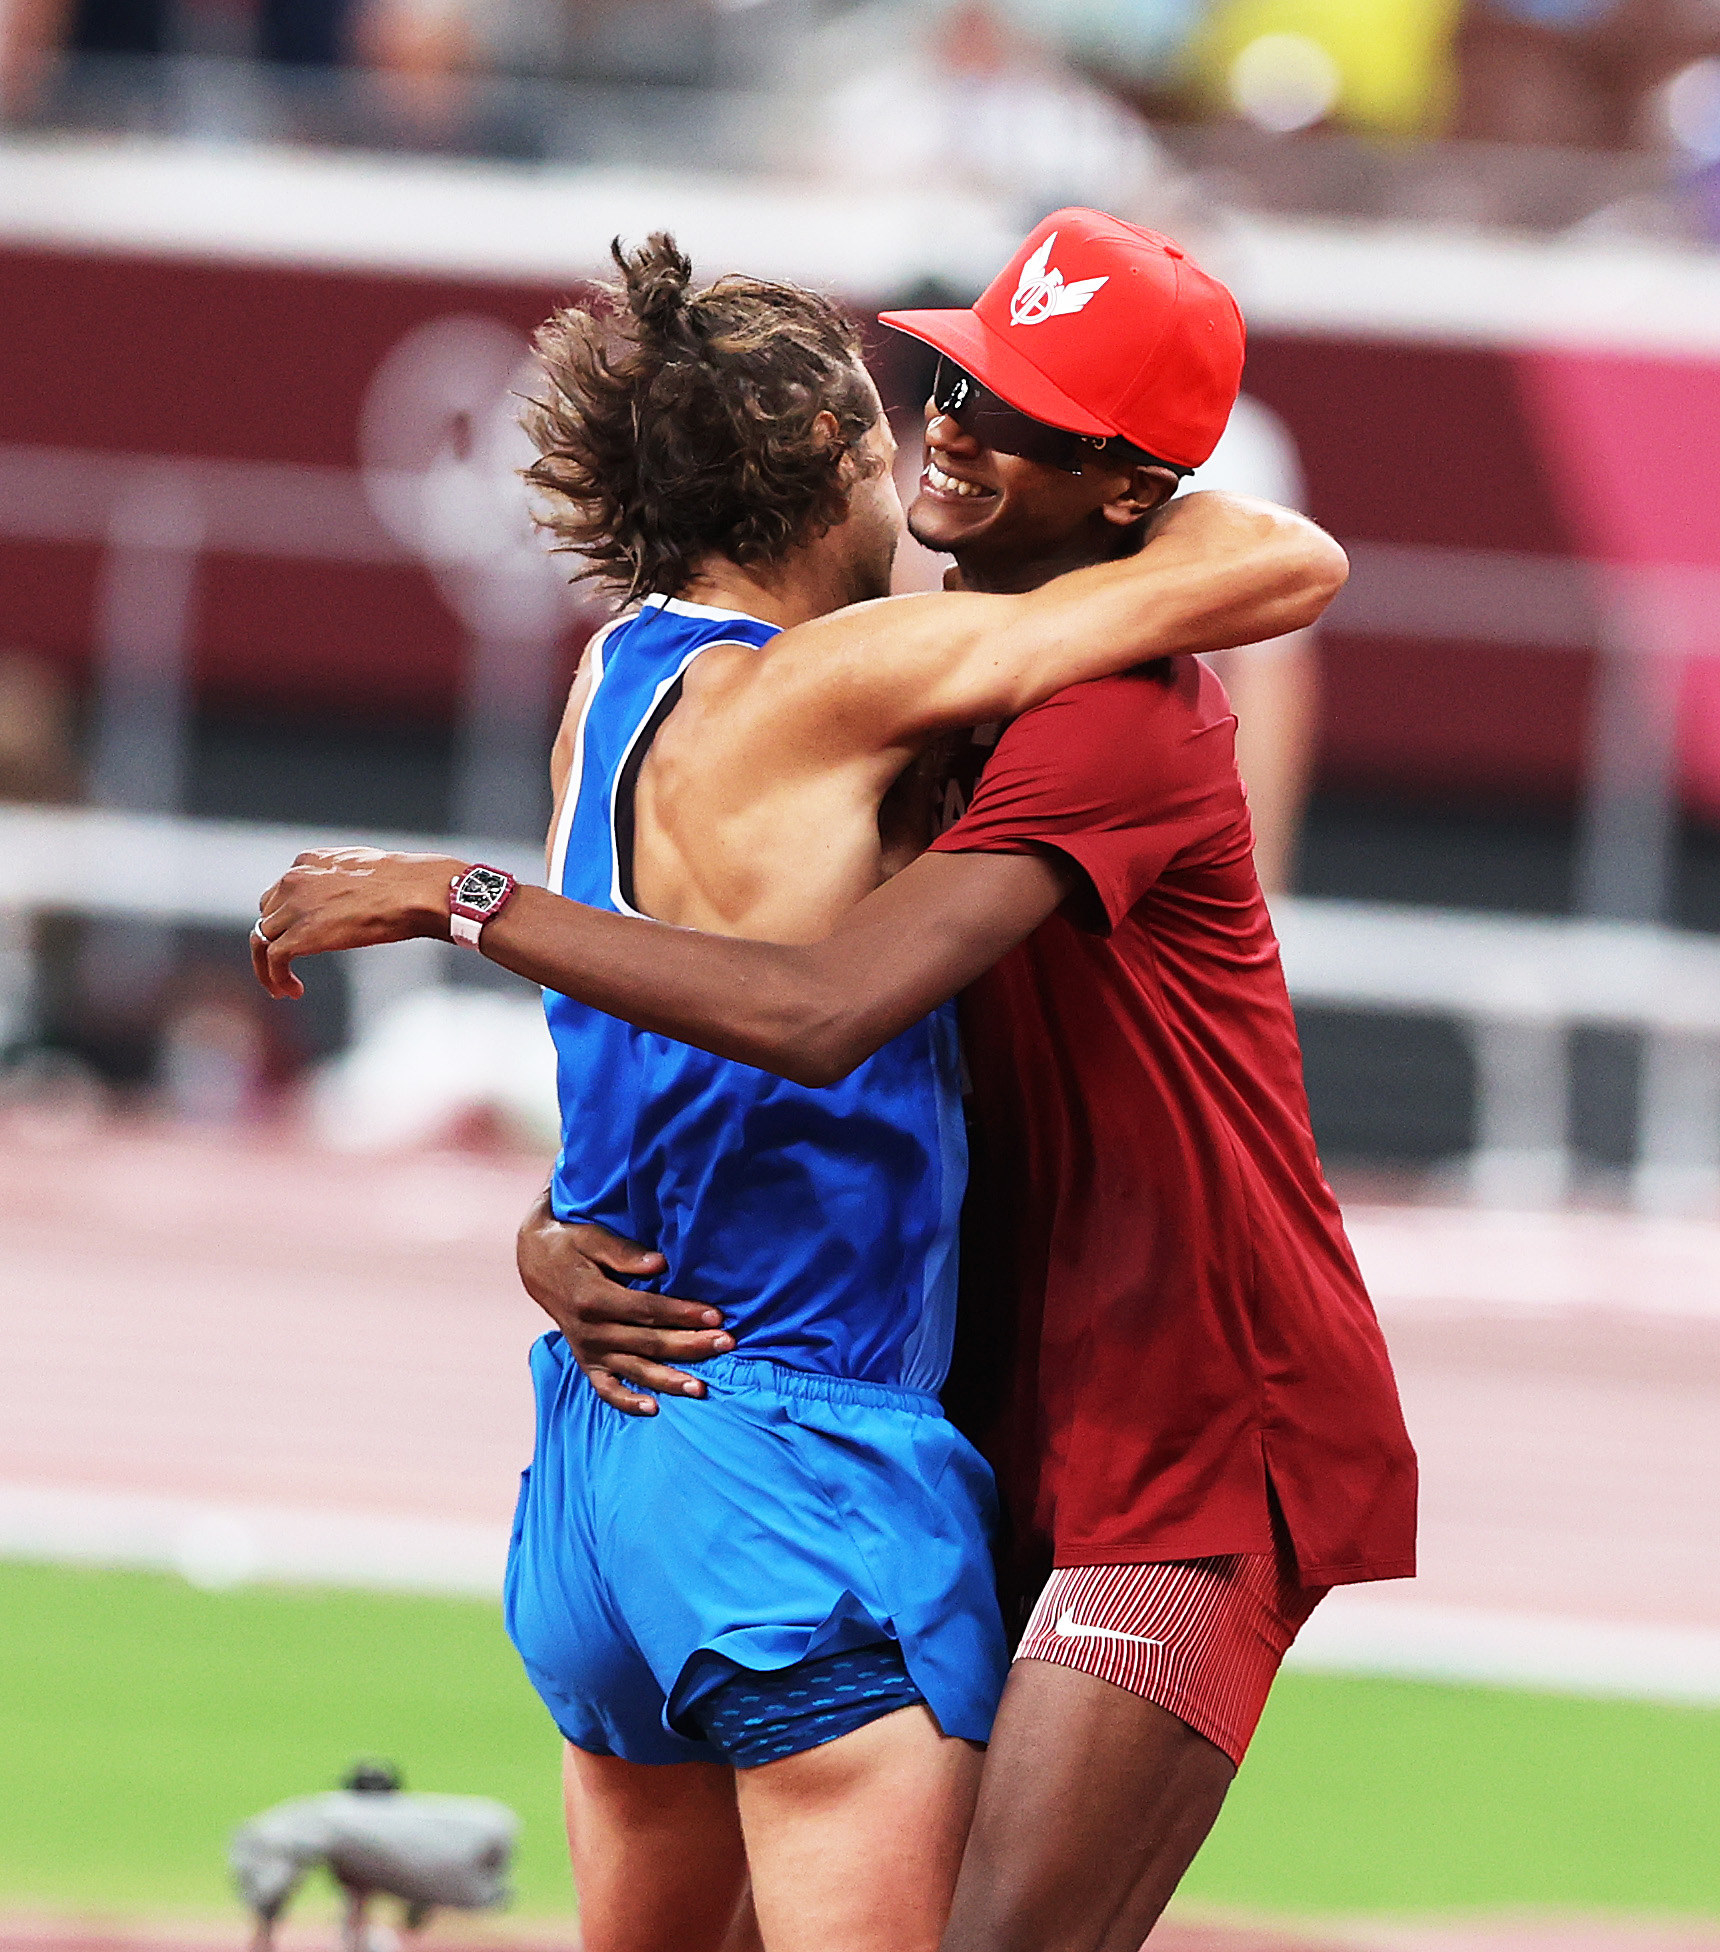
column 1217, row 571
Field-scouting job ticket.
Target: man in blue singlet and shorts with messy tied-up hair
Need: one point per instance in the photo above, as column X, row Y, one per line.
column 764, row 1617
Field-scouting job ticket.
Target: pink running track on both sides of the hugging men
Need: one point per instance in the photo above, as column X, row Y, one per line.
column 276, row 1360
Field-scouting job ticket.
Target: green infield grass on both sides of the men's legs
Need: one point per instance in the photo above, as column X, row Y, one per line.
column 142, row 1721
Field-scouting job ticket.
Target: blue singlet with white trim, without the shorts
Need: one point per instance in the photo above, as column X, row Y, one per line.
column 821, row 1221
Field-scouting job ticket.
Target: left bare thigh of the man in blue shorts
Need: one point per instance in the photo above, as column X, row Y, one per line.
column 659, row 1863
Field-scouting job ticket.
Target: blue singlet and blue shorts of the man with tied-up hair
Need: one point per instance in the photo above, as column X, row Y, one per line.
column 817, row 1500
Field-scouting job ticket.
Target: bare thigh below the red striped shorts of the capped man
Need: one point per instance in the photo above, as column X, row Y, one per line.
column 1092, row 1807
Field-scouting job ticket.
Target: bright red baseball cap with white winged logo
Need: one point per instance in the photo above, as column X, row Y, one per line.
column 1104, row 329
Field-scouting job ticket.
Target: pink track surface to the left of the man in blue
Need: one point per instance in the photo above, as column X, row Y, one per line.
column 231, row 1317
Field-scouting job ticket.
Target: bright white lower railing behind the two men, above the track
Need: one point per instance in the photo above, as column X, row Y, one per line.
column 1516, row 985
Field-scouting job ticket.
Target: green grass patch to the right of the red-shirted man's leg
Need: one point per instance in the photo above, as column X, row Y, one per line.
column 1403, row 1797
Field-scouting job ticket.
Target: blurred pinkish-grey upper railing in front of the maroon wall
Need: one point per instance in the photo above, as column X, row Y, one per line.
column 155, row 518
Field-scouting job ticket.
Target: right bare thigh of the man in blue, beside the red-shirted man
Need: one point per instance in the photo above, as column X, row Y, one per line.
column 856, row 1846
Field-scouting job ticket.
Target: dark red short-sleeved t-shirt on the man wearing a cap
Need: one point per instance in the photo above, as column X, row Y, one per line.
column 1165, row 1324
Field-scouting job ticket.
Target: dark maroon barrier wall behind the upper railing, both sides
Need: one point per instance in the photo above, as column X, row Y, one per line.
column 126, row 356
